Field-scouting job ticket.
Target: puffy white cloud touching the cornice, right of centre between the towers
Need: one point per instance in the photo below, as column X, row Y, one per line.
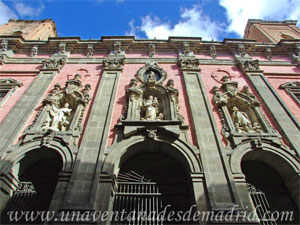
column 192, row 23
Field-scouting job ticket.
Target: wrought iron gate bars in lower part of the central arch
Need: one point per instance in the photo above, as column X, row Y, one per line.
column 146, row 200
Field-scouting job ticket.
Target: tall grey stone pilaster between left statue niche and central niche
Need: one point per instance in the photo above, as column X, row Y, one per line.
column 81, row 193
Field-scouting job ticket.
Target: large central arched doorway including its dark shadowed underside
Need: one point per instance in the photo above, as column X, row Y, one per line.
column 153, row 182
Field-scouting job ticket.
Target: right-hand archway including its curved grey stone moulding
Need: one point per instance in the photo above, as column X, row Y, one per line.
column 271, row 178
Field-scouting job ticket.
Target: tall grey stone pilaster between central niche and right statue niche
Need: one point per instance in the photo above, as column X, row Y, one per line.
column 220, row 185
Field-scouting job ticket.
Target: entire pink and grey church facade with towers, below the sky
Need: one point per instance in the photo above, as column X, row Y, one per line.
column 127, row 131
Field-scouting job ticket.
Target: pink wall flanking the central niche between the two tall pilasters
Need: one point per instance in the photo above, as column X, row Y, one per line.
column 128, row 73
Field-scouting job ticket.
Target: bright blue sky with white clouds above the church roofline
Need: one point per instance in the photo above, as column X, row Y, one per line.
column 209, row 19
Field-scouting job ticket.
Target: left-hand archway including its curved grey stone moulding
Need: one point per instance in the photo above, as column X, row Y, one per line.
column 31, row 173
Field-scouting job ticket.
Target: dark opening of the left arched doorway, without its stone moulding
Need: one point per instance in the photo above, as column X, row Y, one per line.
column 37, row 174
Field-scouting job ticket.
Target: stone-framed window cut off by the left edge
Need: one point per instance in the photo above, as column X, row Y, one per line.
column 7, row 88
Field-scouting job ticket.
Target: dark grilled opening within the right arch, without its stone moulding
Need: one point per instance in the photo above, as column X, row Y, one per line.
column 269, row 194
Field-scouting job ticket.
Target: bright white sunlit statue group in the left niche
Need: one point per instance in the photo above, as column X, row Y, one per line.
column 57, row 120
